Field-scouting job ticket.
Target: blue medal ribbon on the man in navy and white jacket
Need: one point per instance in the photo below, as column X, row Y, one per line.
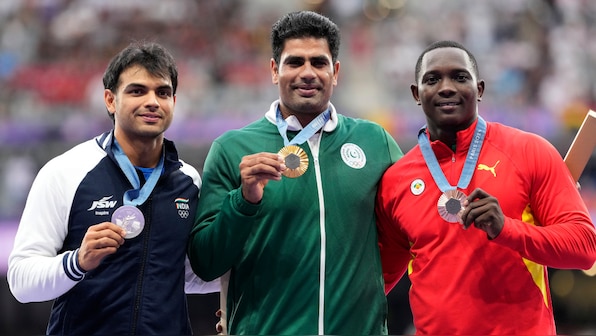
column 137, row 195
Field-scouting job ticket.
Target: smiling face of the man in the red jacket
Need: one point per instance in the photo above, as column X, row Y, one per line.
column 448, row 91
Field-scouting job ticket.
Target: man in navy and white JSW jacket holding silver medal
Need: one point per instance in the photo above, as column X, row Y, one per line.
column 68, row 247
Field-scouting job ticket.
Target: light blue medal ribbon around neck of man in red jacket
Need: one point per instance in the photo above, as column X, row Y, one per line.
column 471, row 158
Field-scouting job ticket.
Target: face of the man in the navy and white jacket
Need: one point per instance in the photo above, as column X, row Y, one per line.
column 143, row 105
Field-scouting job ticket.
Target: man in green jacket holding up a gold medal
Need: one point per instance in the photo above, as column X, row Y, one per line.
column 287, row 204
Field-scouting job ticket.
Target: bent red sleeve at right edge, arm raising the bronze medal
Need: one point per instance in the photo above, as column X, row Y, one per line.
column 562, row 235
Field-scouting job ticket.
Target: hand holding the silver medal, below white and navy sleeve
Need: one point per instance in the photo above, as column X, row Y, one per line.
column 99, row 241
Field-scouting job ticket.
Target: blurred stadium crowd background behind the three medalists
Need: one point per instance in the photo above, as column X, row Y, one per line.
column 537, row 57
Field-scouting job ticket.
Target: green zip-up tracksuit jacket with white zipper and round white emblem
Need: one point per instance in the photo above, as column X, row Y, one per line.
column 305, row 260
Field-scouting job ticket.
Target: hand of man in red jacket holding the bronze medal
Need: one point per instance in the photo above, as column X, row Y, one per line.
column 484, row 211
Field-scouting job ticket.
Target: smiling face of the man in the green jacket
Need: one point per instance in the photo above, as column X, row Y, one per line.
column 306, row 76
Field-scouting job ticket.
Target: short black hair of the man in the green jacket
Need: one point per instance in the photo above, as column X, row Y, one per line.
column 304, row 24
